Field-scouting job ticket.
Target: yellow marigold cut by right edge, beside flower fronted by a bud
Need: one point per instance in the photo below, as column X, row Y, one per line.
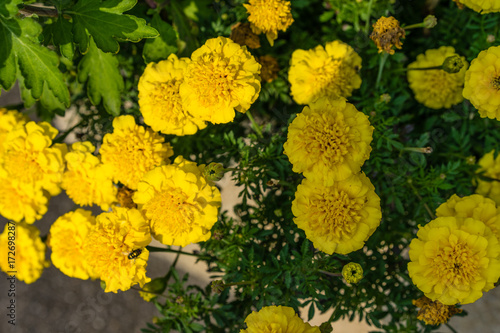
column 482, row 83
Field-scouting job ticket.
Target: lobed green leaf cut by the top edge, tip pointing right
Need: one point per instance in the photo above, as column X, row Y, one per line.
column 105, row 22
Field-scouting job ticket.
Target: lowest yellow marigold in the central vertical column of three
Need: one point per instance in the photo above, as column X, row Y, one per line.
column 338, row 218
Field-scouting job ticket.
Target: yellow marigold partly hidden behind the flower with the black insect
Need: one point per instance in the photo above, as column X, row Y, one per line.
column 67, row 235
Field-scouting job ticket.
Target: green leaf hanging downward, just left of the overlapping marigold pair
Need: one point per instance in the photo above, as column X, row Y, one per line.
column 104, row 82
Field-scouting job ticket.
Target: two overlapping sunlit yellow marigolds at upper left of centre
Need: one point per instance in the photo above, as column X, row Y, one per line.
column 178, row 96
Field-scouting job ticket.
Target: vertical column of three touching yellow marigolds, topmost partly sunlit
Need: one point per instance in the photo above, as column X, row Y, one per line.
column 336, row 204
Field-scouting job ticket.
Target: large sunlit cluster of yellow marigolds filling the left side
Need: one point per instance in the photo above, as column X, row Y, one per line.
column 175, row 203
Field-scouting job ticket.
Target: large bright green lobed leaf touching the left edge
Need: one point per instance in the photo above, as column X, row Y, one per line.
column 37, row 64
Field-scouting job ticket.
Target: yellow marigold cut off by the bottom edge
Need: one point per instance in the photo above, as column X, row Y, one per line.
column 277, row 319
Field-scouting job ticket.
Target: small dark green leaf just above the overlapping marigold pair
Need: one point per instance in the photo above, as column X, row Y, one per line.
column 161, row 47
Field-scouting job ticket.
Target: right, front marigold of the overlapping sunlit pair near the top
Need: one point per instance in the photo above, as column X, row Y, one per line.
column 222, row 77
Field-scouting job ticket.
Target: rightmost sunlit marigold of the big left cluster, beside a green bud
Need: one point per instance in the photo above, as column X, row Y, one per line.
column 179, row 203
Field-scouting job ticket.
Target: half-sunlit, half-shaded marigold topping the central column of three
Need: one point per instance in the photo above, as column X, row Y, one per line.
column 331, row 72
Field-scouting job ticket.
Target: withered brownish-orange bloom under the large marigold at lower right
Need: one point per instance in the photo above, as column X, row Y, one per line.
column 434, row 312
